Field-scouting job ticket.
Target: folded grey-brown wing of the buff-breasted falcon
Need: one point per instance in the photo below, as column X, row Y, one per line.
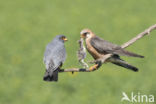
column 105, row 47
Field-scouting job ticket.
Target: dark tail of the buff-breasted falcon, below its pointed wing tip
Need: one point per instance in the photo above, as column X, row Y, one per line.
column 122, row 63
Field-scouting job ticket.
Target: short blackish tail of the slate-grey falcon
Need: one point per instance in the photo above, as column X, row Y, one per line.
column 51, row 76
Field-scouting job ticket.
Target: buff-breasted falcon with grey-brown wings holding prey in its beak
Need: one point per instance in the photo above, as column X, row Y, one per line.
column 98, row 47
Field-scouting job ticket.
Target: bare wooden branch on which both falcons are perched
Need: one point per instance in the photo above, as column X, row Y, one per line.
column 102, row 60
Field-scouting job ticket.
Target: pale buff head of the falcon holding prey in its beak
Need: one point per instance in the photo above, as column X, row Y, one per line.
column 86, row 33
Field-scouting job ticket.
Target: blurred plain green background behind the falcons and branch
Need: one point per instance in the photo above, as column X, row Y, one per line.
column 26, row 26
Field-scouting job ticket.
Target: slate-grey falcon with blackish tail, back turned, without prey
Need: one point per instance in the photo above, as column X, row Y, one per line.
column 54, row 56
